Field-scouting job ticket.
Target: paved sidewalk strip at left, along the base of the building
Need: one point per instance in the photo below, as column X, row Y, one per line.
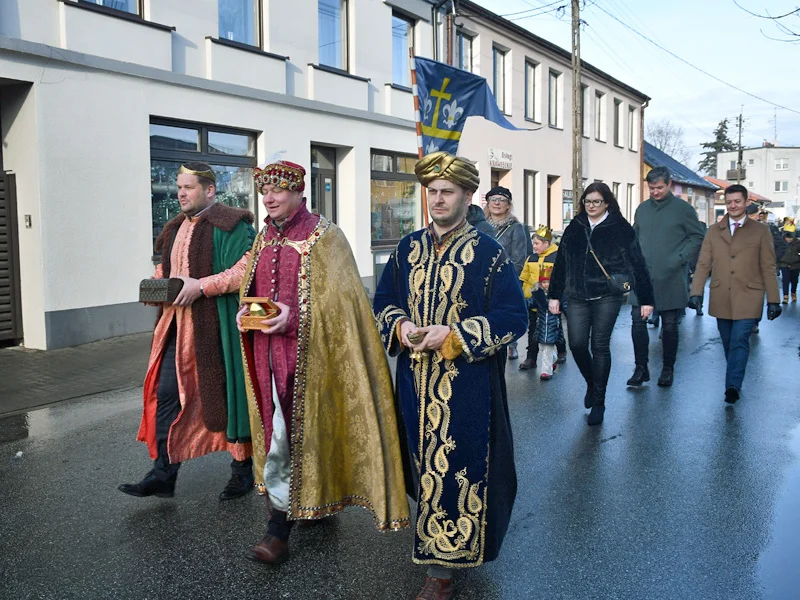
column 35, row 378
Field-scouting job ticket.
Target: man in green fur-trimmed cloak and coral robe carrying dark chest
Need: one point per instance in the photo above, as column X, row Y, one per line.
column 194, row 396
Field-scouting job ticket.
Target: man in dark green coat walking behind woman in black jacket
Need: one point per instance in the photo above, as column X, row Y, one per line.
column 670, row 235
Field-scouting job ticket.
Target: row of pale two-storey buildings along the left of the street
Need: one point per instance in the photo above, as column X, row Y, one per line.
column 101, row 100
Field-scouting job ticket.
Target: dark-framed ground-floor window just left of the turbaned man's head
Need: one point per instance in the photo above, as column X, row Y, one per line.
column 394, row 193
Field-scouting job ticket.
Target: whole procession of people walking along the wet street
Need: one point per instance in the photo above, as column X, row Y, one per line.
column 303, row 398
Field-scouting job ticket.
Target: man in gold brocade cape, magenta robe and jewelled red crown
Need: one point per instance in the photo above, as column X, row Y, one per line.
column 323, row 423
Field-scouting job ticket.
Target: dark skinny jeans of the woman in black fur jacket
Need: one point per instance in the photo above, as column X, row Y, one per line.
column 595, row 319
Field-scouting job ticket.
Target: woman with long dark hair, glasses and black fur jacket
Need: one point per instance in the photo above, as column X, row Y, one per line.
column 579, row 279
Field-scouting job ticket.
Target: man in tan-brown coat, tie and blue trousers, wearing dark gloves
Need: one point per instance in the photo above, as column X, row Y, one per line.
column 739, row 255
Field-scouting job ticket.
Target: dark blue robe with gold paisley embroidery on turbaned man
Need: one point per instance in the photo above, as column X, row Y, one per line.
column 454, row 412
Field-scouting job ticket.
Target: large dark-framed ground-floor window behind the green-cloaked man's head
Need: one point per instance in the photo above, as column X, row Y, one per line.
column 230, row 153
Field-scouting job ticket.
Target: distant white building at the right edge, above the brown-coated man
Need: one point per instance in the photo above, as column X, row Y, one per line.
column 771, row 171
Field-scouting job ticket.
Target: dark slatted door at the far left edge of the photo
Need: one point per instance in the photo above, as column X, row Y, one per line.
column 10, row 305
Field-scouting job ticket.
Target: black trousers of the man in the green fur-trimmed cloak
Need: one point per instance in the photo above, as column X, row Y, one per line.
column 168, row 408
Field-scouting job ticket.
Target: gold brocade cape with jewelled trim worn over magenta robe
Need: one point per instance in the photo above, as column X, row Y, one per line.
column 344, row 442
